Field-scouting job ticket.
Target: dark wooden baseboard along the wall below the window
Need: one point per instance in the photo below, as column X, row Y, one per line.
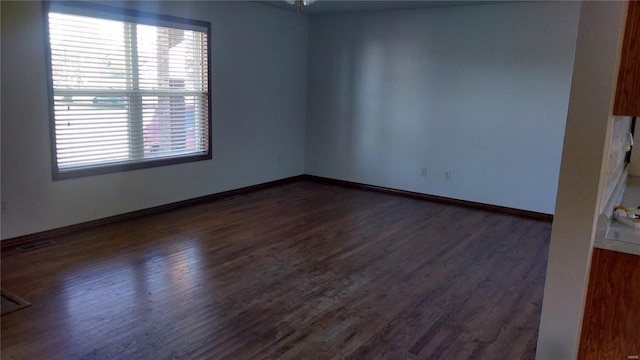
column 39, row 236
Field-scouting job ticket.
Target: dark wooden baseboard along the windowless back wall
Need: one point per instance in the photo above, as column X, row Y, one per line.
column 442, row 199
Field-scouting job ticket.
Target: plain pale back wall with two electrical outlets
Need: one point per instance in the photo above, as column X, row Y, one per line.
column 481, row 91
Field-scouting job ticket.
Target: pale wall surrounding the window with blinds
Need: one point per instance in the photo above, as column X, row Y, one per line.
column 259, row 87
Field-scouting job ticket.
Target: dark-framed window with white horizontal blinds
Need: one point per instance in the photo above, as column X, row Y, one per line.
column 127, row 89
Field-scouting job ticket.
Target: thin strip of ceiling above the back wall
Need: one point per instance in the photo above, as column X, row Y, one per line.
column 337, row 6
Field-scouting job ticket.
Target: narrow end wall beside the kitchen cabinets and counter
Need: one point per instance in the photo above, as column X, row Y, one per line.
column 582, row 177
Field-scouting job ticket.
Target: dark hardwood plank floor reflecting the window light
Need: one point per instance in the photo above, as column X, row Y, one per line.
column 297, row 271
